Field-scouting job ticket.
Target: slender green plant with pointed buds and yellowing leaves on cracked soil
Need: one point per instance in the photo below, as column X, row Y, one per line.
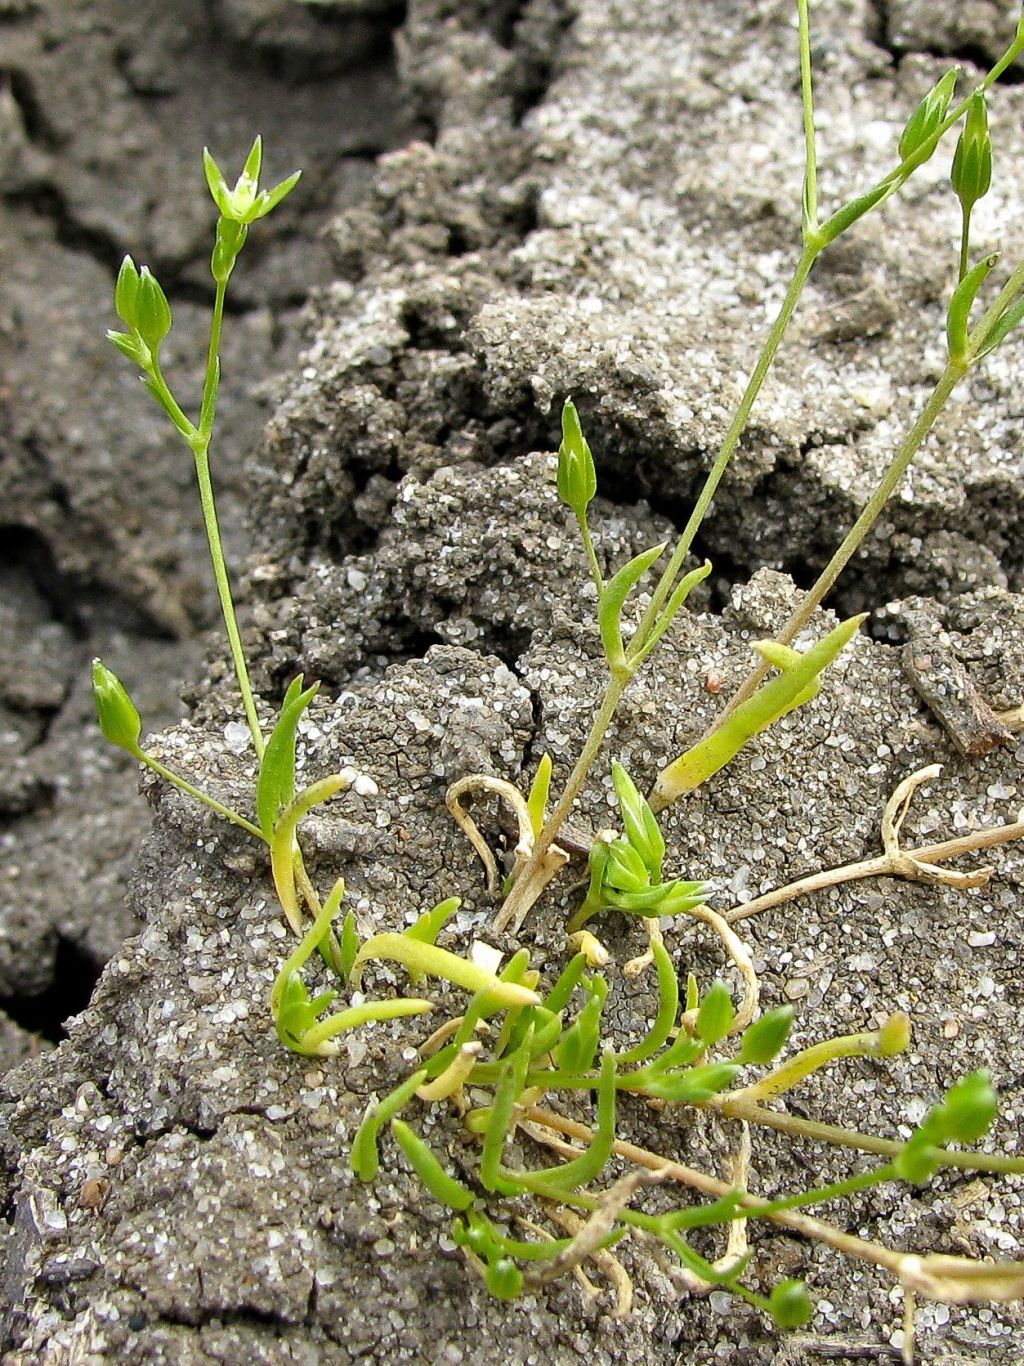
column 517, row 1042
